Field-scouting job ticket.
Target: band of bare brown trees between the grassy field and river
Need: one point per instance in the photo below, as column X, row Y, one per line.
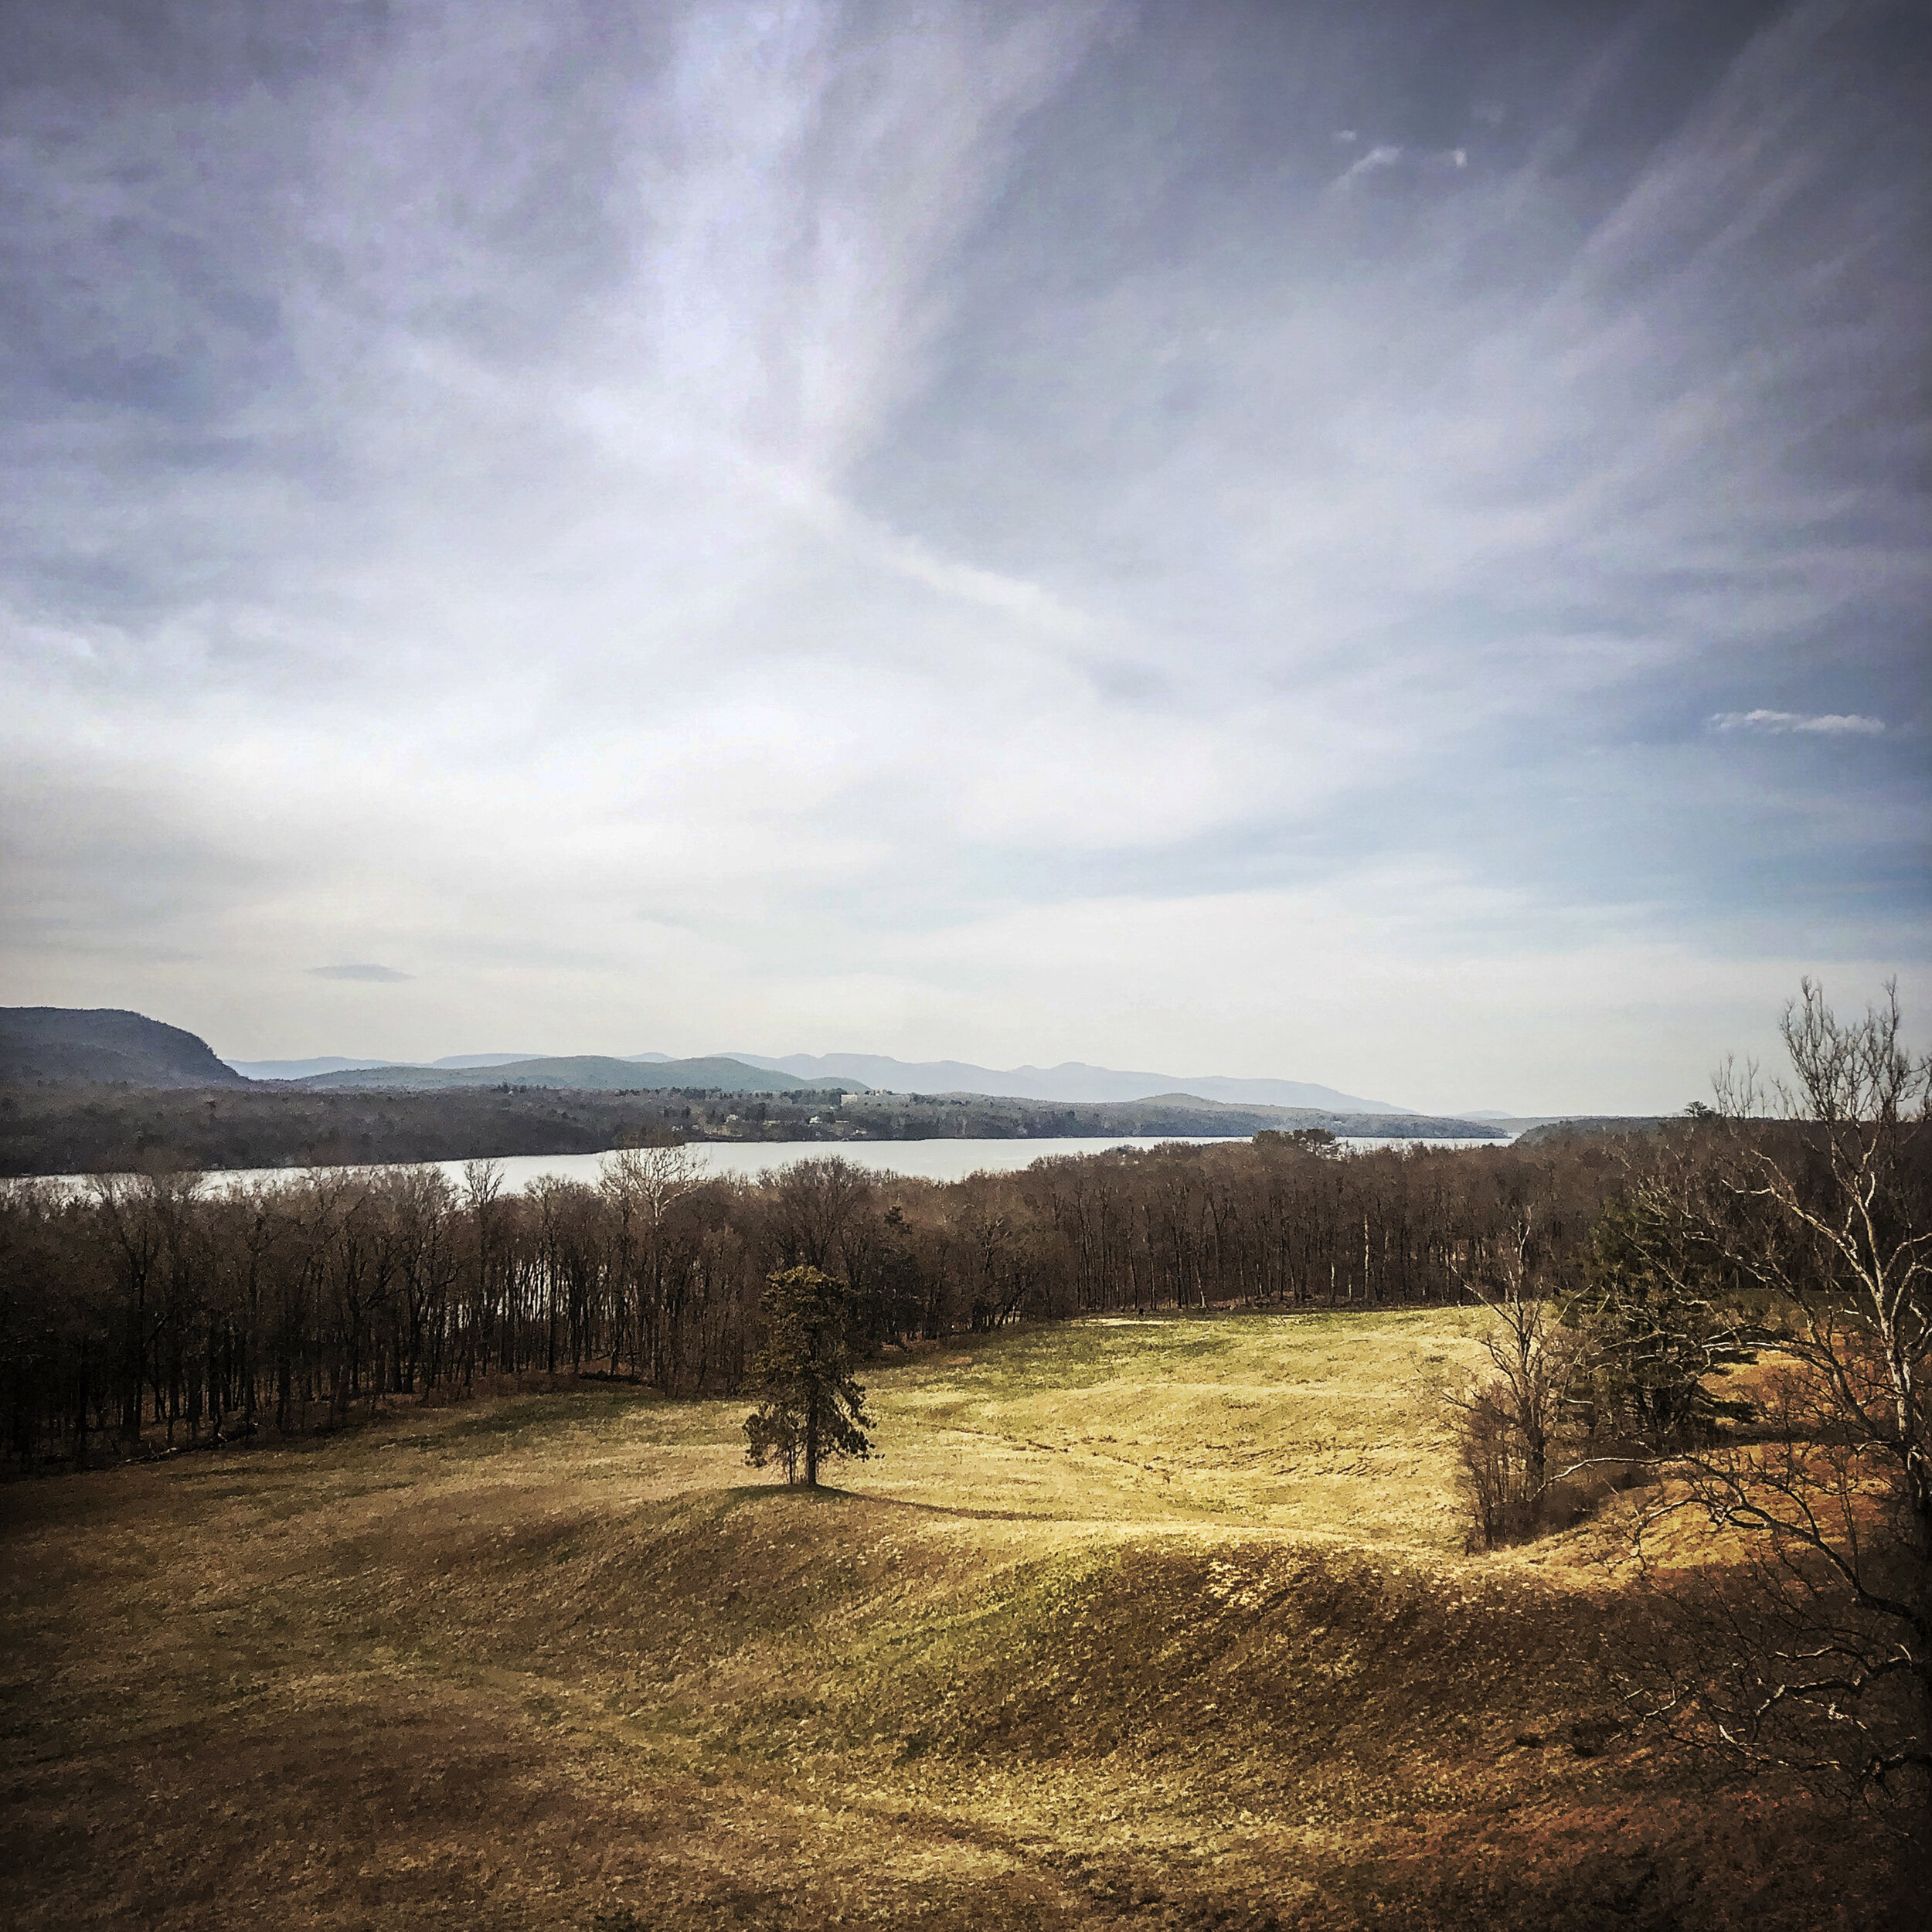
column 173, row 1311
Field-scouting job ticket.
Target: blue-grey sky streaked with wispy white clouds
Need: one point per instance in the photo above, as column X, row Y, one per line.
column 1377, row 546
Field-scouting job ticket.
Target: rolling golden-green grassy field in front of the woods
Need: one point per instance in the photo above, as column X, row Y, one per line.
column 1158, row 1624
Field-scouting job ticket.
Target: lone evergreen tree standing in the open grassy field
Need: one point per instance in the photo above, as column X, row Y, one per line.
column 810, row 1407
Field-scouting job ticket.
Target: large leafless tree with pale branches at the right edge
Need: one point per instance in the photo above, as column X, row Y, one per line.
column 1813, row 1647
